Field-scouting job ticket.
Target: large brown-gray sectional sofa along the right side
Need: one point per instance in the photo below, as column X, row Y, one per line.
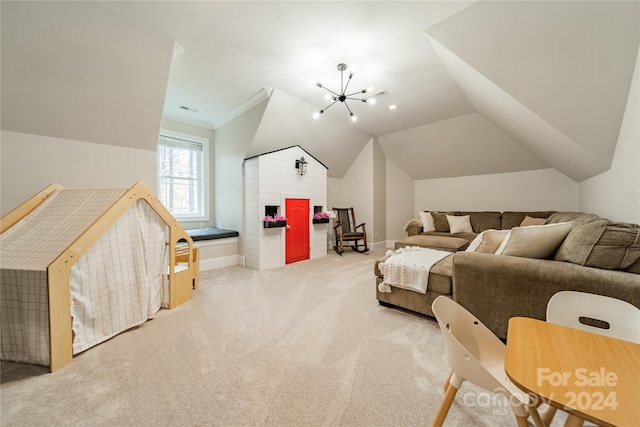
column 597, row 256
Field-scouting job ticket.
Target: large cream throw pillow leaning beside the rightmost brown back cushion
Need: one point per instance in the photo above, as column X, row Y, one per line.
column 535, row 241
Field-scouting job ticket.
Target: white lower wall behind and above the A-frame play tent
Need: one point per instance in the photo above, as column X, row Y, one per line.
column 32, row 162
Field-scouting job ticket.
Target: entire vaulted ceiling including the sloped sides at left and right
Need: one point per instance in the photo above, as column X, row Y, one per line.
column 482, row 87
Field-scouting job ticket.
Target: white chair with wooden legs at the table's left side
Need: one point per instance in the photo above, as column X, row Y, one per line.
column 476, row 355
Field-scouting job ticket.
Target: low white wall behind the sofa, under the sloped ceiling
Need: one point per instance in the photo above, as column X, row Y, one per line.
column 540, row 190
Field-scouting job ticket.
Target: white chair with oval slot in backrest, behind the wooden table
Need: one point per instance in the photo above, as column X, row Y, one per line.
column 593, row 313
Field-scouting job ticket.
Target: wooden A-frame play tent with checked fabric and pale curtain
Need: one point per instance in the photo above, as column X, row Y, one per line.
column 81, row 266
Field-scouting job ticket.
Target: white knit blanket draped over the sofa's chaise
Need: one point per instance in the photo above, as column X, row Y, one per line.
column 408, row 268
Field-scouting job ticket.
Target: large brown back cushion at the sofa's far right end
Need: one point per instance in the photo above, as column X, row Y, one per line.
column 602, row 244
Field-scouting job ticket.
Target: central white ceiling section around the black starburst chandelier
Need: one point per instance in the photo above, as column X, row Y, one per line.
column 234, row 49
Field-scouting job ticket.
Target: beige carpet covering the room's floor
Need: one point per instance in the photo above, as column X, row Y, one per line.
column 302, row 345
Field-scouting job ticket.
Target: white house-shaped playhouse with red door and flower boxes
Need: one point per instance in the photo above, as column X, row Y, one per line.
column 276, row 186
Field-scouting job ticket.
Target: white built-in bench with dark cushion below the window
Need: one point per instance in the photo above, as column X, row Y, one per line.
column 217, row 247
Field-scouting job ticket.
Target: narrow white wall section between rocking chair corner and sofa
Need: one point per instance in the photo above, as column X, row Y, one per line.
column 400, row 196
